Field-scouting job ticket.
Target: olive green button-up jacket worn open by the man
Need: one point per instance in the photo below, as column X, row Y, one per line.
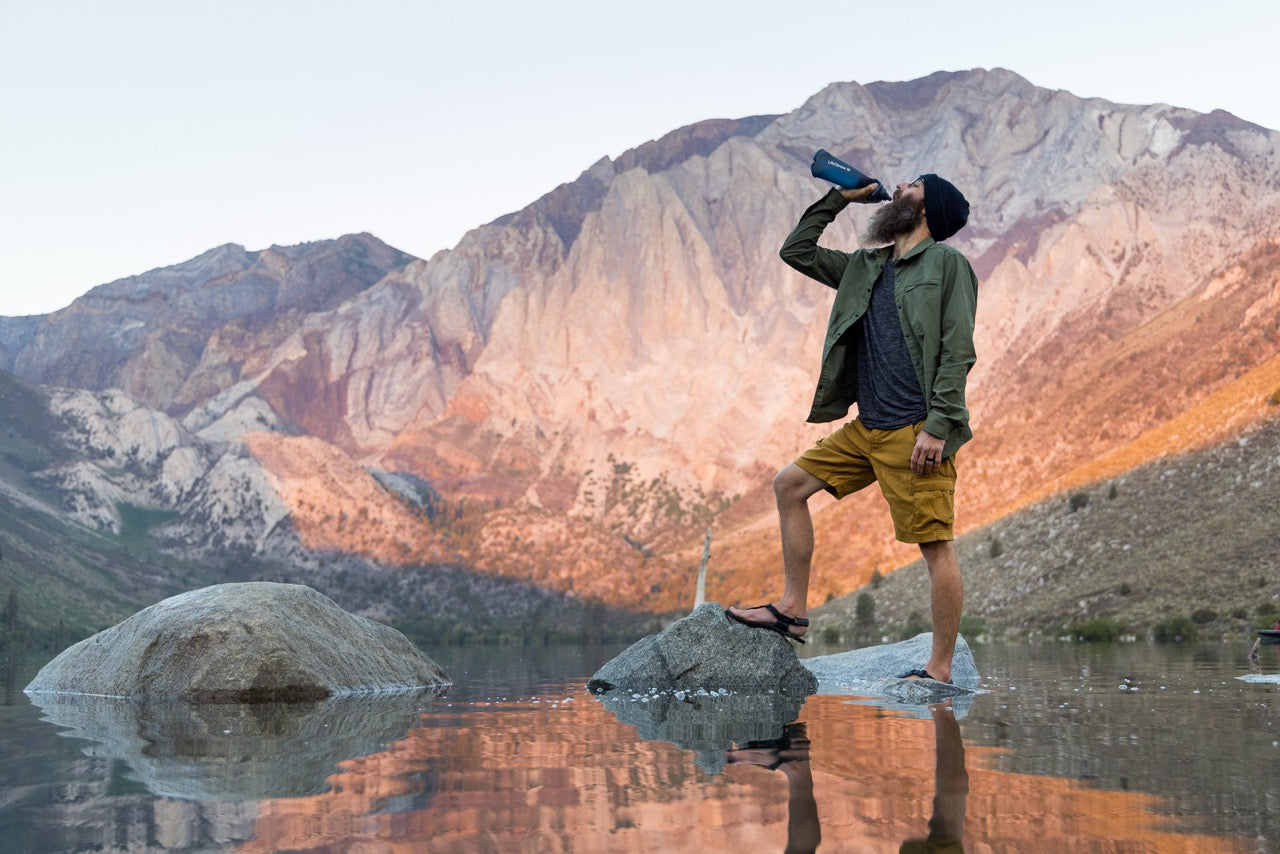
column 936, row 293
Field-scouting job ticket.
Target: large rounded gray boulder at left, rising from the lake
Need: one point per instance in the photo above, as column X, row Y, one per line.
column 241, row 643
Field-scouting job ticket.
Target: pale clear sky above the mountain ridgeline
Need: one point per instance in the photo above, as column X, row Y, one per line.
column 139, row 134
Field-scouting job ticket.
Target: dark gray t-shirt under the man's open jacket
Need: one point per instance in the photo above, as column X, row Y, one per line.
column 889, row 394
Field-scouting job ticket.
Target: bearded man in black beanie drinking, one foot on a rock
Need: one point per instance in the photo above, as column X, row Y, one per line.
column 900, row 345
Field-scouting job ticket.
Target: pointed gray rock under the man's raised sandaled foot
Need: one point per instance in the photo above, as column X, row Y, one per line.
column 711, row 652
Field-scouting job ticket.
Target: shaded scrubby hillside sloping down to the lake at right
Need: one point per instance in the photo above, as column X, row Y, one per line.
column 1183, row 545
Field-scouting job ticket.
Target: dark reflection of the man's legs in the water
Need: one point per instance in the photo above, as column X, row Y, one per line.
column 790, row 753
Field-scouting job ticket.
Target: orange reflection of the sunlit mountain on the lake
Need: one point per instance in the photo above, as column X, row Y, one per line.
column 568, row 777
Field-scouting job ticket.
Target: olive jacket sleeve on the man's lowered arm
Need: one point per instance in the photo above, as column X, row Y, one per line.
column 957, row 353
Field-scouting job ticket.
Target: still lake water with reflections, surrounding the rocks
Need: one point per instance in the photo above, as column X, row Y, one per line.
column 1072, row 748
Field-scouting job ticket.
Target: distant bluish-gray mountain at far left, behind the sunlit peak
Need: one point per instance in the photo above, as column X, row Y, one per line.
column 161, row 334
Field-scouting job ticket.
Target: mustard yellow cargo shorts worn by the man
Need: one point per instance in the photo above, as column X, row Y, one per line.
column 854, row 458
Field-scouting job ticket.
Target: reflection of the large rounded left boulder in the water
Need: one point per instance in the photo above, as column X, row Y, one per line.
column 235, row 751
